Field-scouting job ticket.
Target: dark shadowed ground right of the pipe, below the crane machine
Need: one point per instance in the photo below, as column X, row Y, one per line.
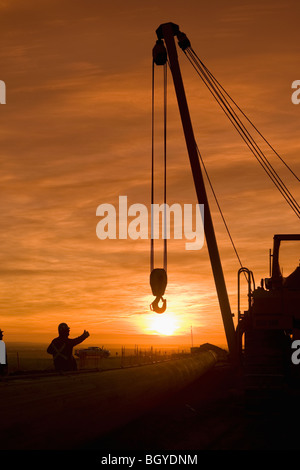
column 211, row 414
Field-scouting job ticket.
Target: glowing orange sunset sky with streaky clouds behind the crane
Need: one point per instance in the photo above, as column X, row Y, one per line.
column 76, row 133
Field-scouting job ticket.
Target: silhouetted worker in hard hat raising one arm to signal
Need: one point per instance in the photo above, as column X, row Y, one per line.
column 62, row 348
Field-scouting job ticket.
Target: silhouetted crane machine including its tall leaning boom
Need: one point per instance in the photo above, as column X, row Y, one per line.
column 261, row 341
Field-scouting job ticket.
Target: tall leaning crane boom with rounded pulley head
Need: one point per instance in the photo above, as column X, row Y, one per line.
column 166, row 32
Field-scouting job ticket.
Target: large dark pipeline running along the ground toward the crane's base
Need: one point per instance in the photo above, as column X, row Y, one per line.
column 62, row 412
